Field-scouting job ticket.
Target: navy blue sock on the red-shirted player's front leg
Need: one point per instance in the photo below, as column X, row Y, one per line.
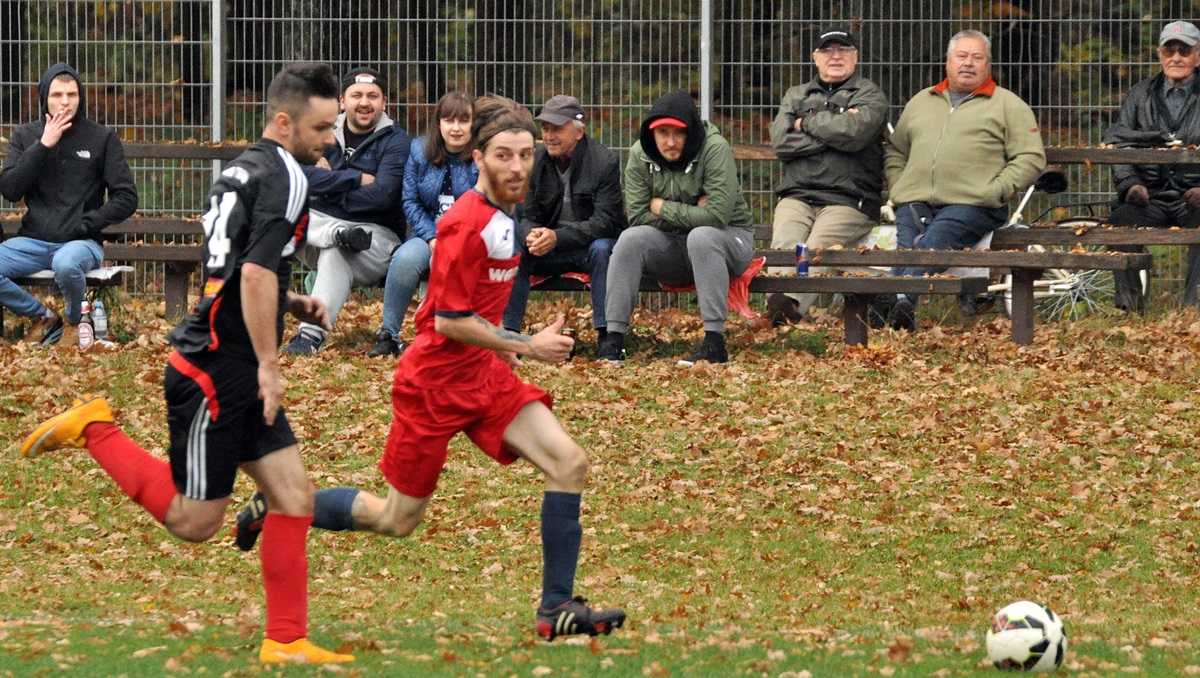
column 561, row 537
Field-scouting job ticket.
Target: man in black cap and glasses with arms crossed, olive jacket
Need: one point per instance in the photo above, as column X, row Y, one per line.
column 830, row 136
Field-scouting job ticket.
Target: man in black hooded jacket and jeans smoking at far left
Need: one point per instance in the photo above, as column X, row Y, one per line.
column 63, row 166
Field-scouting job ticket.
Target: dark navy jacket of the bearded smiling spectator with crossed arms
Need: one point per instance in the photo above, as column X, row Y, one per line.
column 338, row 193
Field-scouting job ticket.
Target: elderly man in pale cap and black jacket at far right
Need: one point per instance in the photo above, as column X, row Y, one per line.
column 1160, row 111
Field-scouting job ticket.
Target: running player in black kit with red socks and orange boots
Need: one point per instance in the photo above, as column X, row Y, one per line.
column 223, row 382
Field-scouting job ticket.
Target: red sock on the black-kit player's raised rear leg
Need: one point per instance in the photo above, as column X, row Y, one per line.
column 143, row 477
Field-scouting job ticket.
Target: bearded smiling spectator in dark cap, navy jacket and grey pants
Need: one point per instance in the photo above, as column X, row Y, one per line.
column 356, row 218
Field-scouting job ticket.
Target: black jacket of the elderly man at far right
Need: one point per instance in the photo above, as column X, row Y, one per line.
column 1147, row 122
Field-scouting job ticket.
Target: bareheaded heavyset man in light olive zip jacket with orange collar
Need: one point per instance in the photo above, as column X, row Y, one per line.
column 962, row 149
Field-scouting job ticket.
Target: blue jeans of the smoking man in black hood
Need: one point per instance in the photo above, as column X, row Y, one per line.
column 69, row 261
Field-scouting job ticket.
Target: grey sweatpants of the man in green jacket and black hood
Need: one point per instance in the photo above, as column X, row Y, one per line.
column 706, row 256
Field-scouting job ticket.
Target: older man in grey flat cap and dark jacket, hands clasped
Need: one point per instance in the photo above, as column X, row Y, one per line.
column 573, row 213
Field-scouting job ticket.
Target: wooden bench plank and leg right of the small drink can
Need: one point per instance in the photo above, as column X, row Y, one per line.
column 1027, row 268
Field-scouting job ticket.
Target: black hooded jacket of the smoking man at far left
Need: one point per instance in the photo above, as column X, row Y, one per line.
column 65, row 187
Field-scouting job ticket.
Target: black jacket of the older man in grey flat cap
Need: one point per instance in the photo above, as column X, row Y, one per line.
column 596, row 195
